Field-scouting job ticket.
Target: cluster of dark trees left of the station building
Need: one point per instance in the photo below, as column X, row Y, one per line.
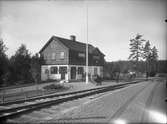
column 22, row 67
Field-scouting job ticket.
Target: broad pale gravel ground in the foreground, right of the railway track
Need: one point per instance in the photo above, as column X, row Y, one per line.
column 139, row 103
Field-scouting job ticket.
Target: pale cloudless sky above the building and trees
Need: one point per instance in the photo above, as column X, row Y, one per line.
column 111, row 24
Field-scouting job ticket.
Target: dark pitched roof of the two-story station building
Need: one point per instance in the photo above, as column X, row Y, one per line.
column 73, row 45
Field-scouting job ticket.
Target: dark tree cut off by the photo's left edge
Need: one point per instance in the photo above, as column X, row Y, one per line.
column 3, row 63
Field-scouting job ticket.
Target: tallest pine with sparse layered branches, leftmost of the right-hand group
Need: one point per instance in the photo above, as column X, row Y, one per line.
column 136, row 47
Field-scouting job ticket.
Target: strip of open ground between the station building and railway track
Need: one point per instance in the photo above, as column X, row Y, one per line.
column 22, row 93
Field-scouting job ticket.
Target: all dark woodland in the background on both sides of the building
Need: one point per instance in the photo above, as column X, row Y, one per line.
column 23, row 67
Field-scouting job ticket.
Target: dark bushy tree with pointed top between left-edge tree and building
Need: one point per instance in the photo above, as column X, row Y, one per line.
column 20, row 65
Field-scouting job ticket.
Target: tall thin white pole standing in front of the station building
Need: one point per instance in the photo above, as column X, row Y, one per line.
column 87, row 50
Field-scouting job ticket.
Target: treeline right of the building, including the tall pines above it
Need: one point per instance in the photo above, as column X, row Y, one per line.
column 143, row 59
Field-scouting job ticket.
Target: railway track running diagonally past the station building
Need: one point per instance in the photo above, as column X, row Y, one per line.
column 14, row 110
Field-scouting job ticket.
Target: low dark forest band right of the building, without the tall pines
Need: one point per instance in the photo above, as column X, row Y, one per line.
column 124, row 67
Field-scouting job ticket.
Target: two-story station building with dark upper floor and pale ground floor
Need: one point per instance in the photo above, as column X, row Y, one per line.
column 65, row 59
